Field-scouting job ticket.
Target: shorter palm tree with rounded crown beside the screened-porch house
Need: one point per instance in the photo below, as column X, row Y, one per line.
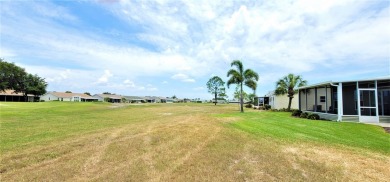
column 289, row 85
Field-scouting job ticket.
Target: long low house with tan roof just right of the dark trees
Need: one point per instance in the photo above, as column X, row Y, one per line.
column 70, row 97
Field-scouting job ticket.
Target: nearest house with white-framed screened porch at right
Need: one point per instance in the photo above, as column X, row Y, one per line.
column 366, row 100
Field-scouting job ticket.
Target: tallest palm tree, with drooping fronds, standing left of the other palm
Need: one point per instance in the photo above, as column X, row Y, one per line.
column 240, row 77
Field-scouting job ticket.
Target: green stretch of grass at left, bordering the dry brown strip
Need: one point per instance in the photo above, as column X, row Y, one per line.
column 27, row 124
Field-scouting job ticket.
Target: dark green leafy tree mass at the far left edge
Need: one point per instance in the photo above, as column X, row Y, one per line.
column 16, row 78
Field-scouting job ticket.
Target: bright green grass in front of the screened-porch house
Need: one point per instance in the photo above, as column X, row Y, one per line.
column 283, row 127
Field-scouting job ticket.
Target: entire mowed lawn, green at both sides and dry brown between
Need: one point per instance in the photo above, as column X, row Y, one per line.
column 59, row 141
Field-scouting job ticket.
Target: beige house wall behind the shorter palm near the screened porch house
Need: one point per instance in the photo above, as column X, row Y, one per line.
column 281, row 101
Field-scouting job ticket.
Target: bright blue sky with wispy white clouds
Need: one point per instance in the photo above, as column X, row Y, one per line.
column 166, row 48
